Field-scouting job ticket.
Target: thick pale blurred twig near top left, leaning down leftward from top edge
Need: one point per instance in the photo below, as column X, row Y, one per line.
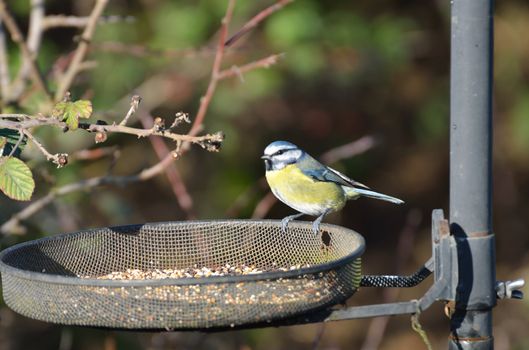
column 33, row 42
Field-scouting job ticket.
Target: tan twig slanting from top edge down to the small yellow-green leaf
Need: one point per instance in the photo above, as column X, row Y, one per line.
column 80, row 53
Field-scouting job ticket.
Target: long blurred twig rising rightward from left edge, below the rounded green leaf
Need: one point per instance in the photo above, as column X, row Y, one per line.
column 13, row 224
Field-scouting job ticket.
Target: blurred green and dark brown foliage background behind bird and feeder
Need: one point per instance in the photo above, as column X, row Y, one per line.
column 350, row 69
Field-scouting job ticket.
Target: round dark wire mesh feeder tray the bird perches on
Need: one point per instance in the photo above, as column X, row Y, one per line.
column 56, row 280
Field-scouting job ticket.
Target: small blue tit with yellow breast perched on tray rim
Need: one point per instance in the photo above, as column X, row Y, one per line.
column 311, row 188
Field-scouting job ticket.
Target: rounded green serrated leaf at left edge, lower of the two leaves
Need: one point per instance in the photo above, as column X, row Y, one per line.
column 16, row 180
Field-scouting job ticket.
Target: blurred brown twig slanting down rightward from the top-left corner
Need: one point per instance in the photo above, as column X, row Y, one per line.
column 17, row 37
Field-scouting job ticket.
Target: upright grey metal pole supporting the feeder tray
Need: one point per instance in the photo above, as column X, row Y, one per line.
column 470, row 172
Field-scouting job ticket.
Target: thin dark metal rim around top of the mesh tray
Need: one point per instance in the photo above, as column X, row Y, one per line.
column 273, row 275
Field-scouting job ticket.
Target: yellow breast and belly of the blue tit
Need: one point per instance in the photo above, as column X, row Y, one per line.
column 303, row 193
